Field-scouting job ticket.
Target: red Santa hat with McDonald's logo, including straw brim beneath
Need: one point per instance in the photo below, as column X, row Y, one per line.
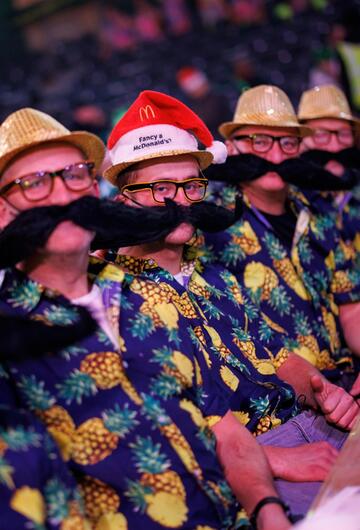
column 156, row 126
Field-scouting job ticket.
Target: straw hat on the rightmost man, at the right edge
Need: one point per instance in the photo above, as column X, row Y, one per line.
column 326, row 101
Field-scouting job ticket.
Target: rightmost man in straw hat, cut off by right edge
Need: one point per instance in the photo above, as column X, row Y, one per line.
column 327, row 112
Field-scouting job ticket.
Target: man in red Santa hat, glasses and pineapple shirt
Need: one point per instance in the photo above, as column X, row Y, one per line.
column 225, row 317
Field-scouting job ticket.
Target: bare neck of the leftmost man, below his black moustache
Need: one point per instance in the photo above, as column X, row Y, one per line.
column 64, row 273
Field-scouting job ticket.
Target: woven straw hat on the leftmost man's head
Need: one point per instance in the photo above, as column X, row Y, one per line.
column 27, row 128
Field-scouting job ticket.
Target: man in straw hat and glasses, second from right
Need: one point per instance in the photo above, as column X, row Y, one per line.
column 280, row 251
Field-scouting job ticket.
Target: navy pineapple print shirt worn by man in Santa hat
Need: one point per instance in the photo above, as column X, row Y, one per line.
column 222, row 331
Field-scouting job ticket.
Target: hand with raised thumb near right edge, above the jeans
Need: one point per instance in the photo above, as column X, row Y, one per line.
column 337, row 405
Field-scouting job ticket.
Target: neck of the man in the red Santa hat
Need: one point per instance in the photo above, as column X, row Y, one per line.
column 167, row 257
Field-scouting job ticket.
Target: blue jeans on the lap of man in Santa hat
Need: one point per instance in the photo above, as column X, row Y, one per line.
column 307, row 427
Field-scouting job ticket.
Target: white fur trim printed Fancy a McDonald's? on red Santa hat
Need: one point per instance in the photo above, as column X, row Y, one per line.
column 150, row 140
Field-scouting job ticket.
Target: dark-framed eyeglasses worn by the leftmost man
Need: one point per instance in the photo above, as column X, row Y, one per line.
column 38, row 186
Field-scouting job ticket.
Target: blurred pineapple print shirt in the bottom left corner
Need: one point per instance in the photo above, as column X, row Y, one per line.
column 36, row 488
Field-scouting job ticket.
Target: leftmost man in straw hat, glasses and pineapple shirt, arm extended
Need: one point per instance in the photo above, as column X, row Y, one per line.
column 124, row 410
